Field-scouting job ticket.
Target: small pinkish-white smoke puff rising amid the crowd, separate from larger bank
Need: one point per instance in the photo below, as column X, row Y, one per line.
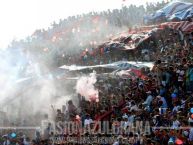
column 85, row 87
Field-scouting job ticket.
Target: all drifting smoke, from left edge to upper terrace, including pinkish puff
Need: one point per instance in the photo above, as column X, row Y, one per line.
column 30, row 60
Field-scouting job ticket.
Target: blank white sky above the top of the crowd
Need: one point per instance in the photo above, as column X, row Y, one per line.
column 20, row 18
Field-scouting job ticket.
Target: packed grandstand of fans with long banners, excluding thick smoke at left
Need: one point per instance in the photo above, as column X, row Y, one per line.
column 132, row 86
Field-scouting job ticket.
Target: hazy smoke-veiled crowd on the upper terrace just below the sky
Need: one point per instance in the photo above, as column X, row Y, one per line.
column 65, row 39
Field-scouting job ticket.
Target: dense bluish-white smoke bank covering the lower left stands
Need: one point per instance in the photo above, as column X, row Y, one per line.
column 29, row 97
